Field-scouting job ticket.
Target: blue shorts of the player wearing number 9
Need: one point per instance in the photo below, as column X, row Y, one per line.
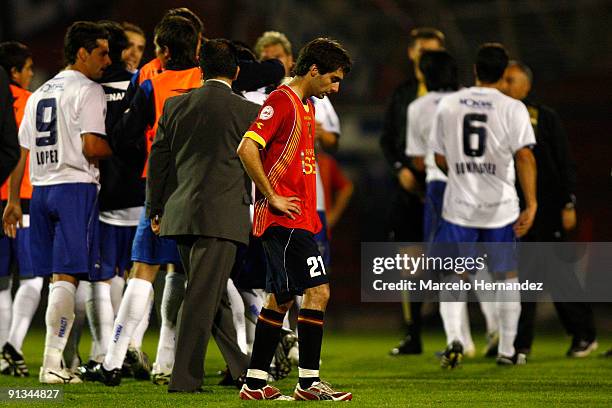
column 64, row 230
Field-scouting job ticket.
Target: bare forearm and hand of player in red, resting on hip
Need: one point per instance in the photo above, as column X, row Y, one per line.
column 248, row 151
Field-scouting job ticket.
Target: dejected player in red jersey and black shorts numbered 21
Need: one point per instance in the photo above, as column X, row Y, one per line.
column 278, row 154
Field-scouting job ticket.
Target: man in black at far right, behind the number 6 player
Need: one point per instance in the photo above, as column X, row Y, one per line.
column 556, row 214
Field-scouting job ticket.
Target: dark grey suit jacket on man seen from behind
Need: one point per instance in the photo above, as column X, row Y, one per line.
column 196, row 180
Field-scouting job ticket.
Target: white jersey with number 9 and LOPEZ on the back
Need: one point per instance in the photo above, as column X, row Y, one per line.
column 56, row 115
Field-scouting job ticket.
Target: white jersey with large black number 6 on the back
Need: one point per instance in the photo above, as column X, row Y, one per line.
column 479, row 130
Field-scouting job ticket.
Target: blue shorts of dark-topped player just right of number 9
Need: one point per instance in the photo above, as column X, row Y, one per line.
column 115, row 248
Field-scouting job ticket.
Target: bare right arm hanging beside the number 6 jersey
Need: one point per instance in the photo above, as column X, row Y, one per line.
column 526, row 170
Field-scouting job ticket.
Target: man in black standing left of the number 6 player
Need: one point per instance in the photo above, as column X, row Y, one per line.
column 406, row 213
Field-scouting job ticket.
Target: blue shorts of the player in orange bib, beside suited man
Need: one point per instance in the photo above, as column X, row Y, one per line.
column 150, row 249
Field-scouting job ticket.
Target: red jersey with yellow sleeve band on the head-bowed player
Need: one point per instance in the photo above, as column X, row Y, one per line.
column 285, row 128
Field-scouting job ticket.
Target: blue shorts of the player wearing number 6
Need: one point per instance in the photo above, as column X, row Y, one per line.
column 499, row 244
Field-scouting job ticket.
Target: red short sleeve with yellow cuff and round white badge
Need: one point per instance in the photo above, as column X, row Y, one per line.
column 276, row 110
